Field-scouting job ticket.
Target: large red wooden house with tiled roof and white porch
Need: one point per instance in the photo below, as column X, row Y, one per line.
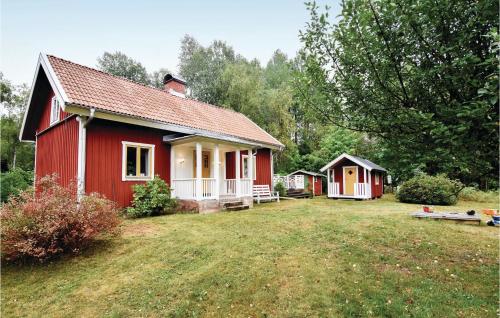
column 109, row 133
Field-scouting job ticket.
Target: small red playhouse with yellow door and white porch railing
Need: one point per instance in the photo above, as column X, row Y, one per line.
column 354, row 177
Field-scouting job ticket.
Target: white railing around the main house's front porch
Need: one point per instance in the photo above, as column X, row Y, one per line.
column 186, row 188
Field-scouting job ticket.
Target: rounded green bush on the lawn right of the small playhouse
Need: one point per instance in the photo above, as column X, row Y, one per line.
column 427, row 189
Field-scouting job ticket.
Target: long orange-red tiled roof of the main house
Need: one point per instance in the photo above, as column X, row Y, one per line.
column 91, row 88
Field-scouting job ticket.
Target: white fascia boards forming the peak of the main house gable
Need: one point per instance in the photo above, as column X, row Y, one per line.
column 43, row 63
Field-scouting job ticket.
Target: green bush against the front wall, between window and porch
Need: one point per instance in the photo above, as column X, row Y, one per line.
column 151, row 198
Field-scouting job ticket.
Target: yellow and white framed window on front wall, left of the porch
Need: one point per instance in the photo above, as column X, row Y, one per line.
column 138, row 163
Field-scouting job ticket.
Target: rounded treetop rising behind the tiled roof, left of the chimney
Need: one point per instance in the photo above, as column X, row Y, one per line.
column 120, row 64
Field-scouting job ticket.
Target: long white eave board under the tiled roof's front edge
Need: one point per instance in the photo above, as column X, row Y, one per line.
column 107, row 115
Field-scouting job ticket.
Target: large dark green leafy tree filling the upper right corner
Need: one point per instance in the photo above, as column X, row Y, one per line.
column 420, row 76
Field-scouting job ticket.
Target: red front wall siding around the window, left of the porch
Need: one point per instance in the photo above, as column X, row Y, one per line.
column 104, row 158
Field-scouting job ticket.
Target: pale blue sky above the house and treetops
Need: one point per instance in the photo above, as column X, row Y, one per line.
column 146, row 30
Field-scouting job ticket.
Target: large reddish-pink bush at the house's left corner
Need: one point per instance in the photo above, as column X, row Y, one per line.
column 50, row 222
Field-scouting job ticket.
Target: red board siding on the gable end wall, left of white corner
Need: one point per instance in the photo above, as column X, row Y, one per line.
column 57, row 152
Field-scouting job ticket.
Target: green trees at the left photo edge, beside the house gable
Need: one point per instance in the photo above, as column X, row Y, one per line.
column 13, row 152
